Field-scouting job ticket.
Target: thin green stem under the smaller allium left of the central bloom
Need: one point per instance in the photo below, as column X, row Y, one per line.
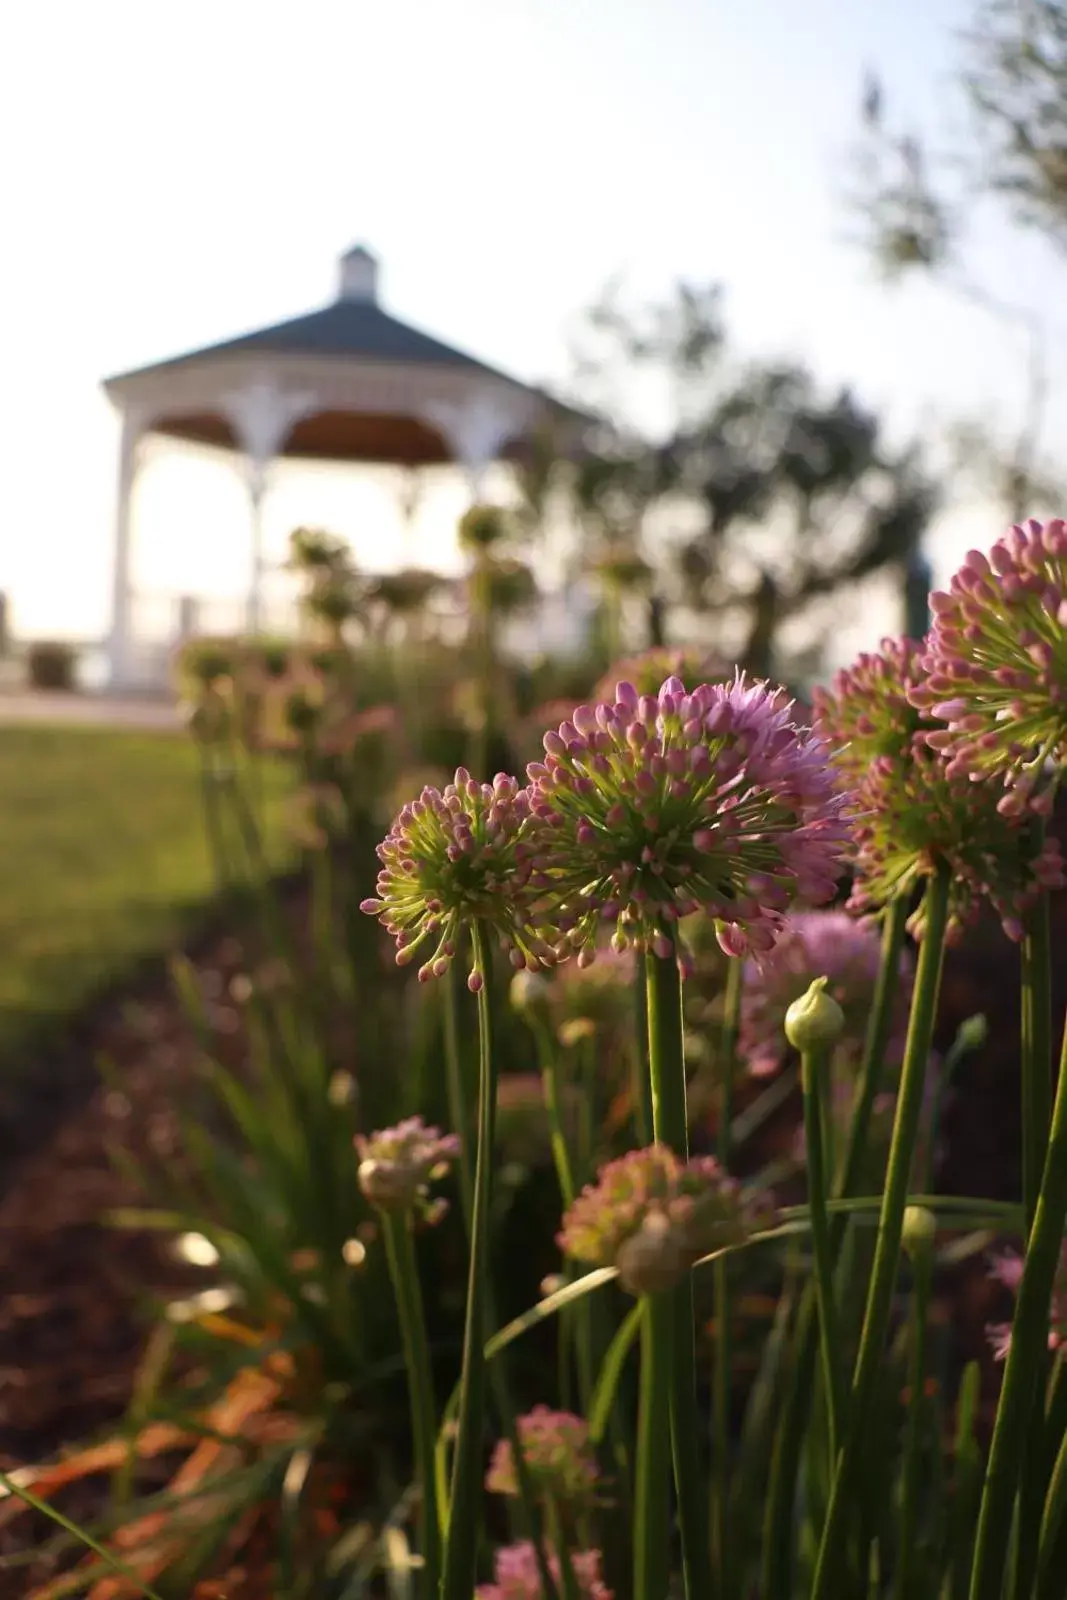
column 462, row 1546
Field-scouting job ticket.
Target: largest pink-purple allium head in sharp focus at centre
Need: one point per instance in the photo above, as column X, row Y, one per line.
column 655, row 807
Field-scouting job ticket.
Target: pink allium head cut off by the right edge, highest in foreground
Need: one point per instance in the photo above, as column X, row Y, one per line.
column 997, row 666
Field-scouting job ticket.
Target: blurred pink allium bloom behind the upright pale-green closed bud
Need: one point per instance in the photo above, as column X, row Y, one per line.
column 818, row 943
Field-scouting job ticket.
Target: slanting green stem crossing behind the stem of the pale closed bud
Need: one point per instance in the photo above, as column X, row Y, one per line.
column 778, row 1524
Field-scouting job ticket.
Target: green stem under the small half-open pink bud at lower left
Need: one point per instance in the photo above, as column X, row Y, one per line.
column 406, row 1279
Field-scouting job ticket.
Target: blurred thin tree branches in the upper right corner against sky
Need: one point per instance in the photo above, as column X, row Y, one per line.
column 1013, row 76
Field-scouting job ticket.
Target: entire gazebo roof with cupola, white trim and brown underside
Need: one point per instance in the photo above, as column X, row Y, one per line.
column 359, row 383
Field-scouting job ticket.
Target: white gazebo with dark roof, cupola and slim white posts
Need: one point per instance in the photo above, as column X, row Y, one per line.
column 343, row 385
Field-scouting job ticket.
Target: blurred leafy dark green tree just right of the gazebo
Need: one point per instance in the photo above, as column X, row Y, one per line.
column 767, row 494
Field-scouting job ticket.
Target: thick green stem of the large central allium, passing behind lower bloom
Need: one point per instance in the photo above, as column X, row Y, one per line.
column 666, row 1070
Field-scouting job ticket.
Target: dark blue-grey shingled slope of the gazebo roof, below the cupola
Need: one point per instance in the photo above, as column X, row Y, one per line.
column 350, row 327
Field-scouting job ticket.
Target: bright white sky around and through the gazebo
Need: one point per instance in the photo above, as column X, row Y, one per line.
column 180, row 175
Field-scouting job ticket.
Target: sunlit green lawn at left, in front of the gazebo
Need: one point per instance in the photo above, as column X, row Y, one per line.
column 103, row 860
